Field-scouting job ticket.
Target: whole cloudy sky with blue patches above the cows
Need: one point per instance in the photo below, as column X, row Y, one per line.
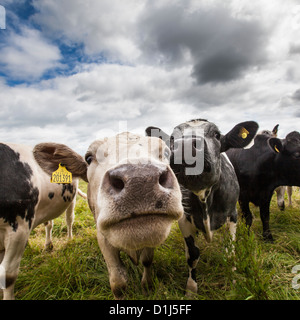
column 72, row 71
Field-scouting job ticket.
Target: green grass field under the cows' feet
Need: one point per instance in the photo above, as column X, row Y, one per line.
column 75, row 268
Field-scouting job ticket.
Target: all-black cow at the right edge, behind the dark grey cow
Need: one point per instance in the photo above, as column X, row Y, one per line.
column 269, row 163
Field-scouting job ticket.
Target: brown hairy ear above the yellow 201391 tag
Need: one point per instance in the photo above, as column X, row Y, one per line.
column 50, row 155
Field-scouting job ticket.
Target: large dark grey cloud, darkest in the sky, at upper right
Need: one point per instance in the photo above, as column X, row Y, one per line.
column 219, row 46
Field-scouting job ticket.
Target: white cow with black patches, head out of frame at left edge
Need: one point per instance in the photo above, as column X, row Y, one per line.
column 27, row 199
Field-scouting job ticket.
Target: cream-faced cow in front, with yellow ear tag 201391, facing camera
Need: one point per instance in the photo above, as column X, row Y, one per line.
column 132, row 193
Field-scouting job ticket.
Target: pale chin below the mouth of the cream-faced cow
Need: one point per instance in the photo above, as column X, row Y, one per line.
column 145, row 230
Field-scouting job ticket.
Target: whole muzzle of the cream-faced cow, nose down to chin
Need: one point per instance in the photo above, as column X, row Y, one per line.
column 140, row 204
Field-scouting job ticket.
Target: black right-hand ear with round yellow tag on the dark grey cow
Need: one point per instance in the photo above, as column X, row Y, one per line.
column 240, row 136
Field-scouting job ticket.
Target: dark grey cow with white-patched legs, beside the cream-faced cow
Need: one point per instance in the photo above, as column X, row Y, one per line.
column 210, row 194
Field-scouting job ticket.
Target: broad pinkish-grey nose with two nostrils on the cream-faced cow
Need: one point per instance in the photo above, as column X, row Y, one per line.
column 134, row 178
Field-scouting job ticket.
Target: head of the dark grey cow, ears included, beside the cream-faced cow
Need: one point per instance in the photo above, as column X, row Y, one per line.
column 196, row 146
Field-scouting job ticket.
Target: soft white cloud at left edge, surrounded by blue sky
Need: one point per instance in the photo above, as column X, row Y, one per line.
column 27, row 56
